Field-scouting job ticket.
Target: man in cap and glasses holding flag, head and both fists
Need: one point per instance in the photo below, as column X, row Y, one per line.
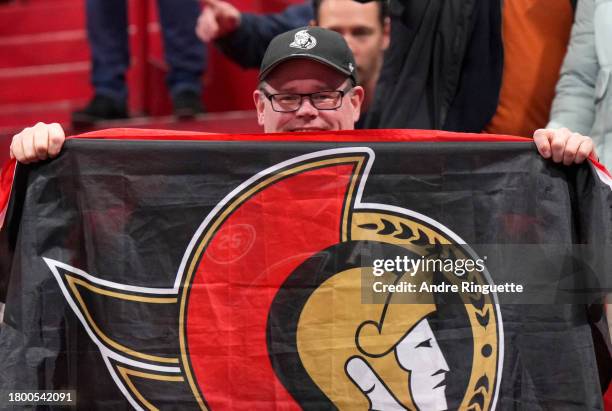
column 307, row 83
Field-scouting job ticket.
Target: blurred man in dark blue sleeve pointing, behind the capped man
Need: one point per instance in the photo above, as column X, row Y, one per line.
column 243, row 37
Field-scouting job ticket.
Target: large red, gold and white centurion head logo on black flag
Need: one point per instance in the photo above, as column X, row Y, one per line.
column 274, row 305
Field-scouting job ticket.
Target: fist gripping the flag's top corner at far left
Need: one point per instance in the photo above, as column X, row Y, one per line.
column 37, row 143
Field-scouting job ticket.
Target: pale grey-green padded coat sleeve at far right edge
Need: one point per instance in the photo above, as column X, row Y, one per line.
column 583, row 100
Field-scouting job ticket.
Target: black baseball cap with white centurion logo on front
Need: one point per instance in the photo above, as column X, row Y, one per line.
column 315, row 43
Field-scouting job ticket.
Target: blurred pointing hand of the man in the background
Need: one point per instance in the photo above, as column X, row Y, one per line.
column 218, row 18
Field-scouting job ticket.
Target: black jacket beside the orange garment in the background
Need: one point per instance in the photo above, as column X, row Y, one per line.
column 443, row 69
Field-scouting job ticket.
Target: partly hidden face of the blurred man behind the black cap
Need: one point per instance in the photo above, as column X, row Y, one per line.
column 360, row 26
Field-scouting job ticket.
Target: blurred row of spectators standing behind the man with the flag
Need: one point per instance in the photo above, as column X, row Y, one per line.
column 503, row 67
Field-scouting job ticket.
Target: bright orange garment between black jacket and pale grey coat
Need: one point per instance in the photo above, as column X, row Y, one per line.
column 534, row 39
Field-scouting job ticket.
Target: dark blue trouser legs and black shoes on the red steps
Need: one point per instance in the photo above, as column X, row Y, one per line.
column 107, row 29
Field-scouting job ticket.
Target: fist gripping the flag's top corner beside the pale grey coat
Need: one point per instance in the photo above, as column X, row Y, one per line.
column 563, row 146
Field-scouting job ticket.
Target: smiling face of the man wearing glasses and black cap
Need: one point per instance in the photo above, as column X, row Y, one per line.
column 303, row 76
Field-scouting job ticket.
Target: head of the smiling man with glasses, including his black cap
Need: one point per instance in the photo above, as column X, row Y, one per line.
column 308, row 83
